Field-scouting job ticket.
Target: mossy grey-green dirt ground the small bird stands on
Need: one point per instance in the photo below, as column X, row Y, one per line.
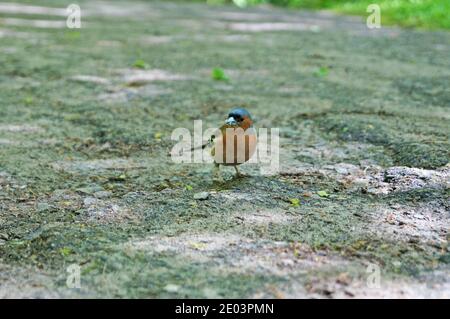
column 85, row 178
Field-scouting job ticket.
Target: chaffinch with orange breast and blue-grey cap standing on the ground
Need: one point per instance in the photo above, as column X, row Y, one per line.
column 236, row 142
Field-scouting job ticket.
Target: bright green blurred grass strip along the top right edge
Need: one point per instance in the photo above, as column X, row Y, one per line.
column 430, row 14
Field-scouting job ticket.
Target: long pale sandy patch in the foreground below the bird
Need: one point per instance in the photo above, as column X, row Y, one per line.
column 239, row 254
